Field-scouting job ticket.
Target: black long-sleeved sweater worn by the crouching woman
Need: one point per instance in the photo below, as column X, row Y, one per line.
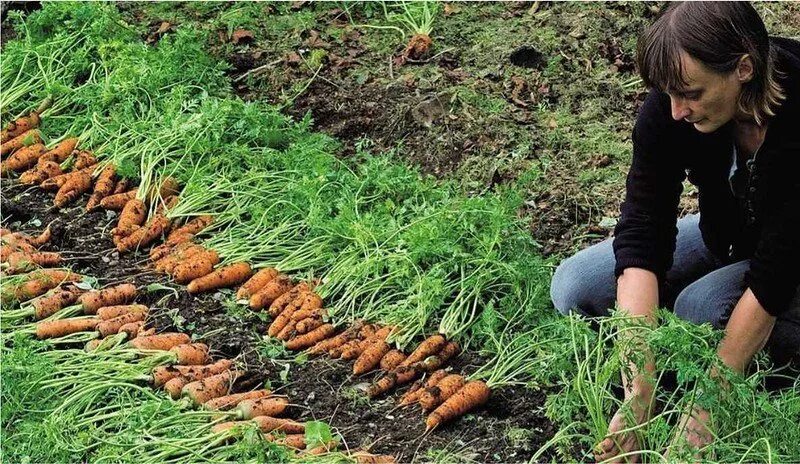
column 765, row 228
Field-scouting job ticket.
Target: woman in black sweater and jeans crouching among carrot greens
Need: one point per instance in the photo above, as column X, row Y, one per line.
column 724, row 110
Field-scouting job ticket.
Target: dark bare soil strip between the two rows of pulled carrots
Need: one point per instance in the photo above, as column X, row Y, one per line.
column 509, row 428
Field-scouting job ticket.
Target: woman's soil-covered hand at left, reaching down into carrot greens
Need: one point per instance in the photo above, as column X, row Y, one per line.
column 620, row 439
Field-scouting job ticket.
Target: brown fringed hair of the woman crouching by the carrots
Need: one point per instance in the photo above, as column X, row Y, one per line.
column 718, row 34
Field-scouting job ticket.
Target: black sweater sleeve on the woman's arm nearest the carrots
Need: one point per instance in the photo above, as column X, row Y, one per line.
column 646, row 232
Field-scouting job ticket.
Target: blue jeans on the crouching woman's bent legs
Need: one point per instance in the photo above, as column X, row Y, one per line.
column 699, row 288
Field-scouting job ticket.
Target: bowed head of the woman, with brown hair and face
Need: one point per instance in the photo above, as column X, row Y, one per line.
column 715, row 62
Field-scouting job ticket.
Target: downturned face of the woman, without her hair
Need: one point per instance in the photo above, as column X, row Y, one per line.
column 710, row 99
